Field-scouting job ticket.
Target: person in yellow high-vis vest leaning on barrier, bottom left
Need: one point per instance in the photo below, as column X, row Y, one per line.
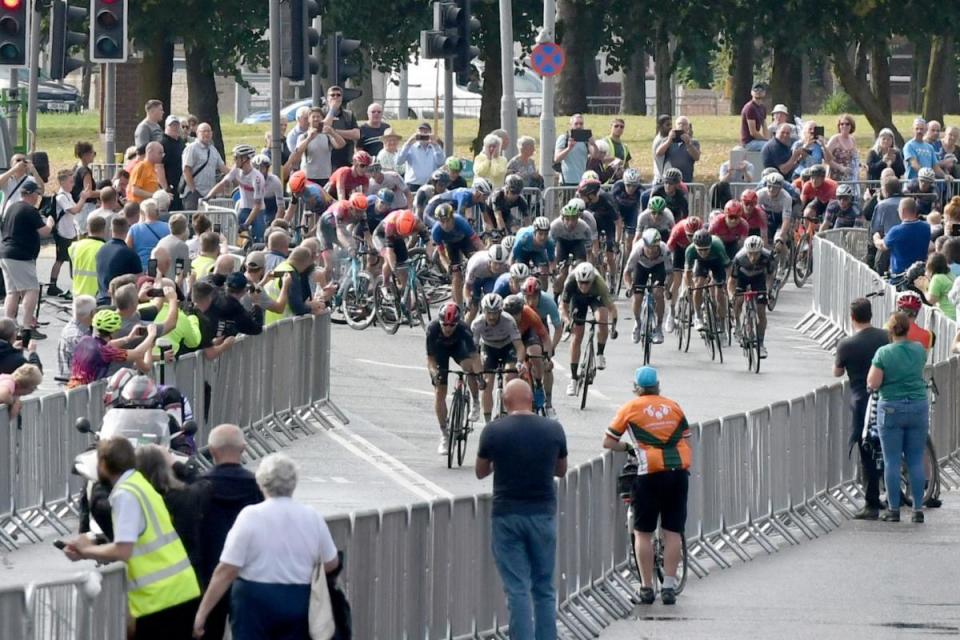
column 162, row 589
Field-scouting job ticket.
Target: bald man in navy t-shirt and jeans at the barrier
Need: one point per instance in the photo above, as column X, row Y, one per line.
column 524, row 452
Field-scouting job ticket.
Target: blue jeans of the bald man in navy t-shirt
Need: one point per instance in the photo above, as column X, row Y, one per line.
column 524, row 548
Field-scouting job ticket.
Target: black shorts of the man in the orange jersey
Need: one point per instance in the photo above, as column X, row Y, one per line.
column 660, row 495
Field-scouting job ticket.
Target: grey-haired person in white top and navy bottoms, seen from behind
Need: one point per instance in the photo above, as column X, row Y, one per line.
column 268, row 558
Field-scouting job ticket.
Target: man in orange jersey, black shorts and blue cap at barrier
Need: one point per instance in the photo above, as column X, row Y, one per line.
column 659, row 437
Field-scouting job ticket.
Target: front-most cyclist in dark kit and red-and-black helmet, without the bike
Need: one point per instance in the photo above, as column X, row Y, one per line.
column 449, row 337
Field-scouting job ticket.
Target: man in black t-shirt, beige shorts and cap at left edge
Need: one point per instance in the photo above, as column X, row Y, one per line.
column 22, row 227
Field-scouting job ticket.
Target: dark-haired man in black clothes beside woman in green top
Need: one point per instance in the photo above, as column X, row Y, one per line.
column 854, row 355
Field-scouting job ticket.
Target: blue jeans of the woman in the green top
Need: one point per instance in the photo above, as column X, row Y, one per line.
column 903, row 433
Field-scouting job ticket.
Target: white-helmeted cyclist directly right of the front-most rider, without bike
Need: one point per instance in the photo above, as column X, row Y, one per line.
column 498, row 336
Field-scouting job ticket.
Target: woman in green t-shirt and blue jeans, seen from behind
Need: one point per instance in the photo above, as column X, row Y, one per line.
column 896, row 373
